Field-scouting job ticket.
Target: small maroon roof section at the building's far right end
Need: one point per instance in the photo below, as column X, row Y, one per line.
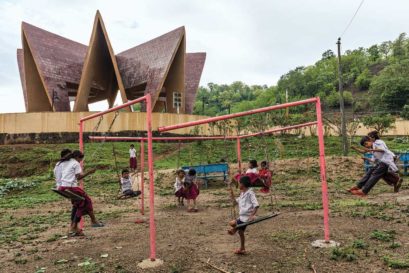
column 194, row 63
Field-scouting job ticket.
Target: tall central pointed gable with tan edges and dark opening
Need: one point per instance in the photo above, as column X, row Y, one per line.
column 100, row 67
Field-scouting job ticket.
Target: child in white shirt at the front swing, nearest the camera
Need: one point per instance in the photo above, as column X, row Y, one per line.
column 248, row 206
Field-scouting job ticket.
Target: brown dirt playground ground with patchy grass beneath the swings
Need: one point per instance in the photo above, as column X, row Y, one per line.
column 185, row 241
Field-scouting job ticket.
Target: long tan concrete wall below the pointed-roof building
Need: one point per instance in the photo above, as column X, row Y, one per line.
column 62, row 122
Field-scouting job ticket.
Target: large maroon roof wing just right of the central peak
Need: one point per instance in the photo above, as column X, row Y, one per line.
column 149, row 63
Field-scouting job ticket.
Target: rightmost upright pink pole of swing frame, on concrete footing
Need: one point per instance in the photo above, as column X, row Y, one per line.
column 324, row 187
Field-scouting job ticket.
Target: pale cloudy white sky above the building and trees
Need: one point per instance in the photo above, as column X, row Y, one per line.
column 251, row 41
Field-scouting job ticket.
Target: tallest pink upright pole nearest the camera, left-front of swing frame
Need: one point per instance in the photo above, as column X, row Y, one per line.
column 152, row 228
